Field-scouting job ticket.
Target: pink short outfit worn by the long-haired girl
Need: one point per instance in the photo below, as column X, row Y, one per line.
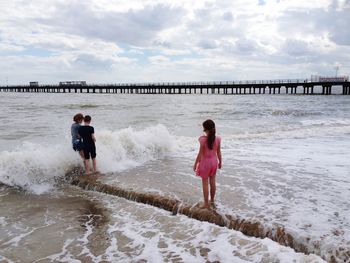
column 208, row 163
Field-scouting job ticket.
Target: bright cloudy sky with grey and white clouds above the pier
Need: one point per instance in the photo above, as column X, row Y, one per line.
column 113, row 41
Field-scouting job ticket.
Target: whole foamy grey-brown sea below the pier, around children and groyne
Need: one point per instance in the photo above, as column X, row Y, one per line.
column 285, row 163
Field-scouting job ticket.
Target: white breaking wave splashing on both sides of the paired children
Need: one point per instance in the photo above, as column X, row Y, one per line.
column 36, row 167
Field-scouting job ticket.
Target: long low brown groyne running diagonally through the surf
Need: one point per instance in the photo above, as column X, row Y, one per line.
column 249, row 227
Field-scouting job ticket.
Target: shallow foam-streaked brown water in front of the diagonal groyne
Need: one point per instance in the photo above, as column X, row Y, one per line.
column 79, row 226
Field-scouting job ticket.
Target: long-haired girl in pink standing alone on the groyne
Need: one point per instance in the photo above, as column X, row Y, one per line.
column 208, row 160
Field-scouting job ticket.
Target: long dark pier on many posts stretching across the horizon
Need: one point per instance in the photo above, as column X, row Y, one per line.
column 218, row 87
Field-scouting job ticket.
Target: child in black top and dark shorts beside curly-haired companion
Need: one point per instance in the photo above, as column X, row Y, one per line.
column 87, row 133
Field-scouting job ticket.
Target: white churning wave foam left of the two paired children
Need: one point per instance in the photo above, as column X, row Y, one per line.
column 34, row 166
